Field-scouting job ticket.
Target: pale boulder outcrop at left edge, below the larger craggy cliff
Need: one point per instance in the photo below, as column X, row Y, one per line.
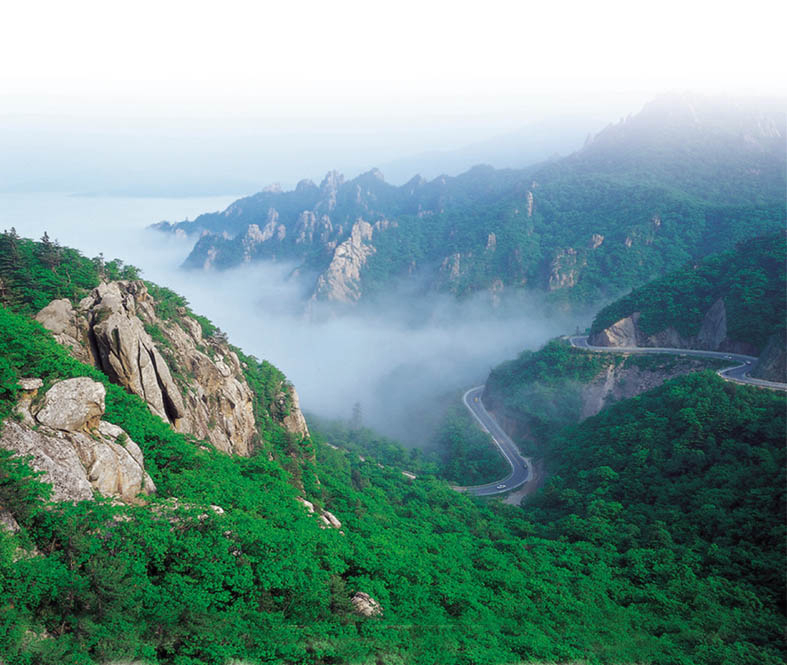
column 77, row 452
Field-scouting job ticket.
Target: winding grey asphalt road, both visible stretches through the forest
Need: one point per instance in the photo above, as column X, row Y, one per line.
column 522, row 468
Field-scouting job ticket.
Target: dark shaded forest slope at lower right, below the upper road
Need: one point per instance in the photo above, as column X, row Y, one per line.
column 683, row 489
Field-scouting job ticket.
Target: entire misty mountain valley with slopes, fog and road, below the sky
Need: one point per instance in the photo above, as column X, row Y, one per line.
column 268, row 450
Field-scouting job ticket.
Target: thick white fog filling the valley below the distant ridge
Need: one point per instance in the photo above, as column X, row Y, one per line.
column 401, row 359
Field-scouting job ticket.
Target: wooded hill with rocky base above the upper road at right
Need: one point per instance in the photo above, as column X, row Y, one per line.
column 731, row 301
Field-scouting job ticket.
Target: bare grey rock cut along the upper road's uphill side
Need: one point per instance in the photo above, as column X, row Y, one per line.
column 712, row 335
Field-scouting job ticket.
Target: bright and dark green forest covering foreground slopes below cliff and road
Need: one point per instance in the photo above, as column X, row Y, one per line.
column 658, row 537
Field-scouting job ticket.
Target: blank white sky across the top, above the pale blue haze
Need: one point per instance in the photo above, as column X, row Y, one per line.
column 354, row 58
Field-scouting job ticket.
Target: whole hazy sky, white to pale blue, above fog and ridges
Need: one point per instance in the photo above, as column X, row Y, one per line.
column 207, row 97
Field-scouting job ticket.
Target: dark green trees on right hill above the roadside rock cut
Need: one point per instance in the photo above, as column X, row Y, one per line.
column 750, row 279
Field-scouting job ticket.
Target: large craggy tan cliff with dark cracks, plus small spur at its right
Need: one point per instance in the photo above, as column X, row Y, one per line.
column 193, row 381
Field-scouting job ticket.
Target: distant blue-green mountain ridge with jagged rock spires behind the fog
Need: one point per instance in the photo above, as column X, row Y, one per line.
column 684, row 177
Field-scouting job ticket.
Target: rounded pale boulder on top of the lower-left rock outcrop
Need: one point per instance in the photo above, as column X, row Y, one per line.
column 73, row 405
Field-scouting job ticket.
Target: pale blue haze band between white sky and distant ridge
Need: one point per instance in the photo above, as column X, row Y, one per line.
column 187, row 156
